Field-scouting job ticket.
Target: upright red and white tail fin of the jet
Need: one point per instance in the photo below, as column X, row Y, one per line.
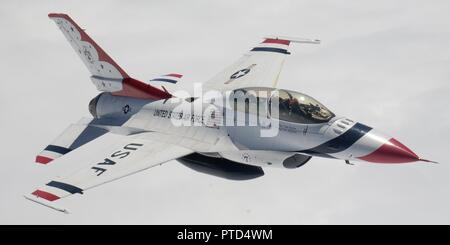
column 107, row 75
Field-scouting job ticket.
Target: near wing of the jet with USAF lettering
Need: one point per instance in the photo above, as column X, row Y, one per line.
column 124, row 155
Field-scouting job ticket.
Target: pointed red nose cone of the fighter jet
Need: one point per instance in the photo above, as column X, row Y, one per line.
column 391, row 152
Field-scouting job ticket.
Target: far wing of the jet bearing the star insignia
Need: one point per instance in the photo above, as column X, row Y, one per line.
column 260, row 67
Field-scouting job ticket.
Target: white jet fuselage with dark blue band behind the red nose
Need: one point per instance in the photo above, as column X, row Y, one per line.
column 206, row 129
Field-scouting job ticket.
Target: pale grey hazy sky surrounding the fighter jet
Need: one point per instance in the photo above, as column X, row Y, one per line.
column 384, row 63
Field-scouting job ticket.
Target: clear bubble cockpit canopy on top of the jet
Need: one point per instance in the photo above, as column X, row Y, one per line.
column 293, row 106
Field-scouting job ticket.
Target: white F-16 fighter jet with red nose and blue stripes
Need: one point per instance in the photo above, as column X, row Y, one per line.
column 232, row 126
